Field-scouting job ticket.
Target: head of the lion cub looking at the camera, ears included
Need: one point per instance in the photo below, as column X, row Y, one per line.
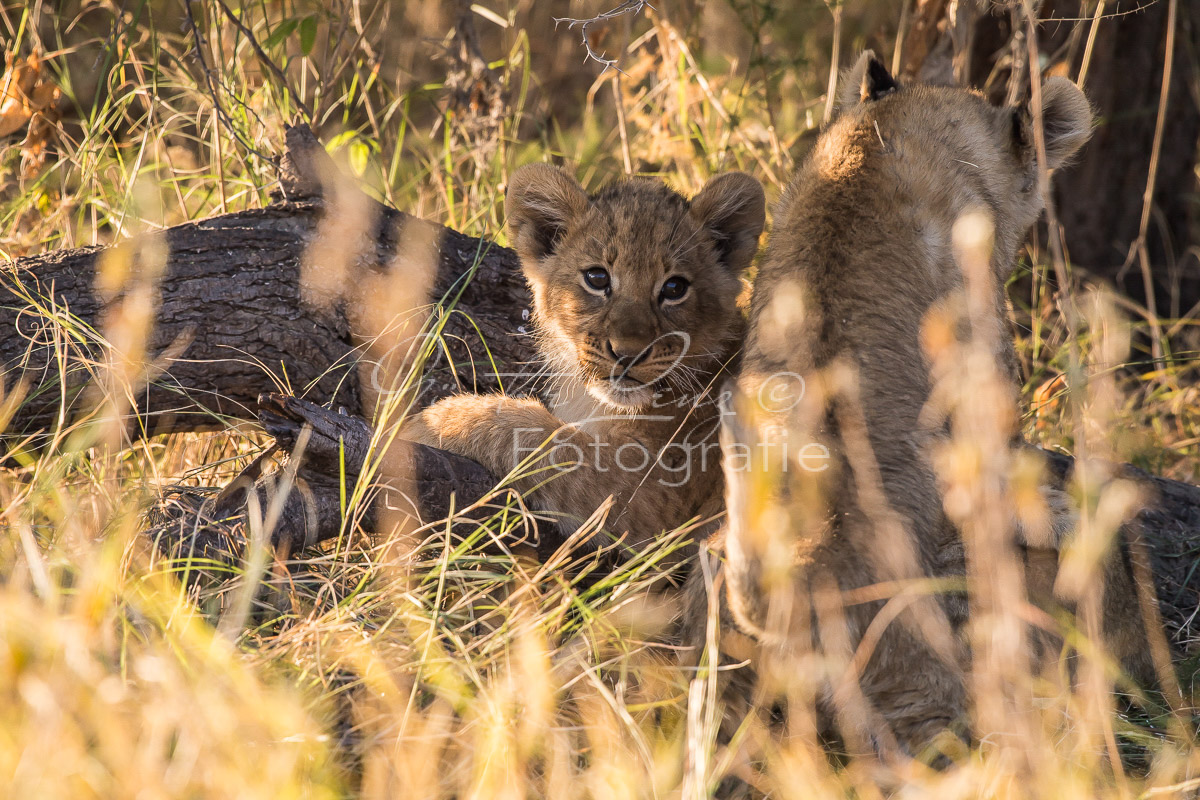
column 635, row 288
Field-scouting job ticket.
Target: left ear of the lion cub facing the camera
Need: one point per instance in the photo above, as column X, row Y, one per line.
column 541, row 206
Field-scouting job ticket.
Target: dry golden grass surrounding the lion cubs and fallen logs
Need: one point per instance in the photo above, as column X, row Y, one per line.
column 357, row 673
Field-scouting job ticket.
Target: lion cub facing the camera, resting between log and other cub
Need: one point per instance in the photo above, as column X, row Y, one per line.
column 635, row 312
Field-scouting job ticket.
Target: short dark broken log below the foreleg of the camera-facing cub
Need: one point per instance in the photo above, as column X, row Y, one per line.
column 327, row 453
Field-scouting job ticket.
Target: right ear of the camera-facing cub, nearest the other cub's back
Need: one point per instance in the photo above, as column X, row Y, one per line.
column 734, row 209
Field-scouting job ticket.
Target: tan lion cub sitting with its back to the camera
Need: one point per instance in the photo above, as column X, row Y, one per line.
column 860, row 255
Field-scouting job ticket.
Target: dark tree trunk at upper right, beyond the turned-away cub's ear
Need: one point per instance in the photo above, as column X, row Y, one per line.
column 1100, row 199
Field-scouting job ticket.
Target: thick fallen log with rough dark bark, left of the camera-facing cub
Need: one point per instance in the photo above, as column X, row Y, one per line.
column 232, row 322
